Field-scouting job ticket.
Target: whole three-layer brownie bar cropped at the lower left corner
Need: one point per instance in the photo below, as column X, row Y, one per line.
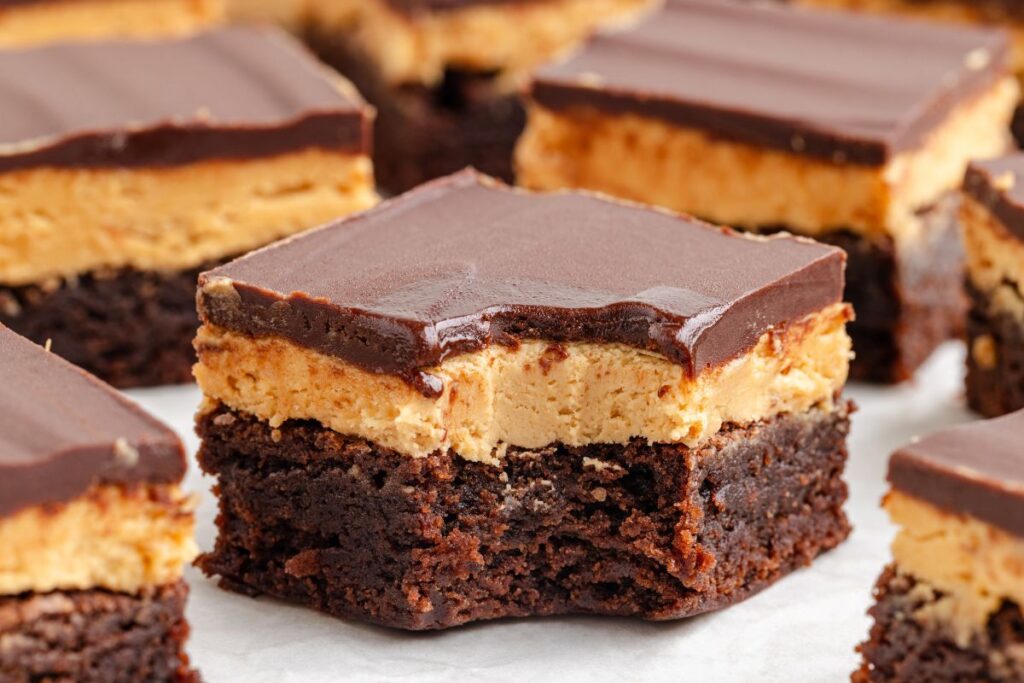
column 95, row 531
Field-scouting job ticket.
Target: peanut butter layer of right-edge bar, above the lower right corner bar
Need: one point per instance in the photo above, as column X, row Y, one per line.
column 995, row 259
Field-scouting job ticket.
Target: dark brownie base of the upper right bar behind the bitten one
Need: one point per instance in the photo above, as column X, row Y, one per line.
column 907, row 302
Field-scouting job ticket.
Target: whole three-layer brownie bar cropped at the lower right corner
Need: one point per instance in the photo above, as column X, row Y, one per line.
column 949, row 609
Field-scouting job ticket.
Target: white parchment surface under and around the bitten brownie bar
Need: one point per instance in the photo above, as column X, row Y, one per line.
column 803, row 629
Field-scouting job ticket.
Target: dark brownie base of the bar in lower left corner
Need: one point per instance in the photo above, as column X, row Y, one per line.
column 96, row 637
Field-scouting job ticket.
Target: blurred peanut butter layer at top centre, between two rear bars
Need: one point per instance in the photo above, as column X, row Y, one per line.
column 509, row 37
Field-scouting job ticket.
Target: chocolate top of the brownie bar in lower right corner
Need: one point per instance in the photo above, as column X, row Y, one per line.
column 975, row 469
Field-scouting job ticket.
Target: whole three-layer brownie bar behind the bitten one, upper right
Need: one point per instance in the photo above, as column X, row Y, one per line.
column 854, row 131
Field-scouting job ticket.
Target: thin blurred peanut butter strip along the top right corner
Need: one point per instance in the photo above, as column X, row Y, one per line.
column 950, row 12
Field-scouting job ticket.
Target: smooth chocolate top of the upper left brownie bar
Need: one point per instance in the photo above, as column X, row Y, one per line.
column 239, row 93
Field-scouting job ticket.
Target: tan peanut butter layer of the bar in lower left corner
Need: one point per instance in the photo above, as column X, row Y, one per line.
column 111, row 538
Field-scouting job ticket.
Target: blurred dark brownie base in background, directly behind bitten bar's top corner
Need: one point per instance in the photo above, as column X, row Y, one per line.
column 423, row 134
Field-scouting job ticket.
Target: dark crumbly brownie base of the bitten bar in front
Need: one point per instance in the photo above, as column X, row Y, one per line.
column 658, row 532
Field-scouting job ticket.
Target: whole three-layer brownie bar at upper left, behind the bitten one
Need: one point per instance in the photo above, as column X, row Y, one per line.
column 127, row 168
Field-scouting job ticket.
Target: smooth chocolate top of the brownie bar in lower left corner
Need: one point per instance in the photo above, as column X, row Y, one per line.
column 62, row 432
